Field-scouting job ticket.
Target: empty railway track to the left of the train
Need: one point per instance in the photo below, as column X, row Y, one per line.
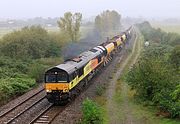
column 12, row 114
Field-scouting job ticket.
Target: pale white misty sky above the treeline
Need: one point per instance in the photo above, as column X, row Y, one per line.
column 56, row 8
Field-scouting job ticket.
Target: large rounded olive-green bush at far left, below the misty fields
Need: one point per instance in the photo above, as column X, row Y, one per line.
column 29, row 42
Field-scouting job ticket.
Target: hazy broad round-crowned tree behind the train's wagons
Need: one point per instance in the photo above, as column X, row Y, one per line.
column 108, row 21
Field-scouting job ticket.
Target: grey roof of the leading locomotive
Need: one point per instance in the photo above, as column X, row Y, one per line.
column 71, row 65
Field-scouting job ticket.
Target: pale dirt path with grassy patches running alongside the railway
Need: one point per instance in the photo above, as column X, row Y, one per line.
column 123, row 114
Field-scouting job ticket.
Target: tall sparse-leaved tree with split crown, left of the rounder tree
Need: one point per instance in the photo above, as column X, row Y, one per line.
column 70, row 24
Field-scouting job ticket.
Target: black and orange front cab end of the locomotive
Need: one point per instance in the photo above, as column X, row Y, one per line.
column 56, row 84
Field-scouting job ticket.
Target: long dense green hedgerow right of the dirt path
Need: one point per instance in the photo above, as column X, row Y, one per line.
column 155, row 77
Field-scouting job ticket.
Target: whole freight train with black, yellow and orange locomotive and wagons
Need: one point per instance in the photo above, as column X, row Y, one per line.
column 65, row 81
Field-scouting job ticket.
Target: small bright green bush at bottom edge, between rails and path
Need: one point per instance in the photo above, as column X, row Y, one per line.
column 91, row 113
